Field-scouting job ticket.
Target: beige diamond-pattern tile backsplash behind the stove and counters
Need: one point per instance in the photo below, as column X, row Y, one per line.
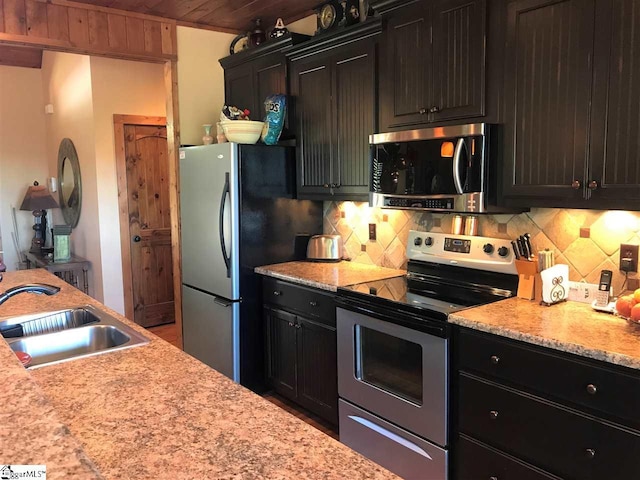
column 587, row 240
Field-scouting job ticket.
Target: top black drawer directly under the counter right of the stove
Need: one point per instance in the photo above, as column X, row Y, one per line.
column 600, row 388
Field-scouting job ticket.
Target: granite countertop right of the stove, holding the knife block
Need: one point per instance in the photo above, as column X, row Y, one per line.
column 568, row 326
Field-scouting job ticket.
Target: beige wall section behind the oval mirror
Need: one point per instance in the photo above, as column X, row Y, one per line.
column 67, row 86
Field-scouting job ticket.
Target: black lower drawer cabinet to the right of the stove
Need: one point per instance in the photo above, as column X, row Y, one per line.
column 529, row 409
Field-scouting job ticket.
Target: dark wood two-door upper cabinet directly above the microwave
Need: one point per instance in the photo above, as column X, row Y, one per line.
column 433, row 62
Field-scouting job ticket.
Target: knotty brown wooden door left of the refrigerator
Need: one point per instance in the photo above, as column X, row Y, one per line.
column 148, row 233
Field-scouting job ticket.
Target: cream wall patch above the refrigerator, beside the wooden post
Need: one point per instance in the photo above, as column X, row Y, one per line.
column 200, row 80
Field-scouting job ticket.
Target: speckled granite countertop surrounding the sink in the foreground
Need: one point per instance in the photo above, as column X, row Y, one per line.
column 152, row 411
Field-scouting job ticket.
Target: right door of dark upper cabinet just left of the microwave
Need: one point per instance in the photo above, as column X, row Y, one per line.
column 355, row 117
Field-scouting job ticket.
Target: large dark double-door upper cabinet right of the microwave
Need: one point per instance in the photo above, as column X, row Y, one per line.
column 570, row 135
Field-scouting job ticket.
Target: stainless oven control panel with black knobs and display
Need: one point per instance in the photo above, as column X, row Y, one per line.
column 483, row 253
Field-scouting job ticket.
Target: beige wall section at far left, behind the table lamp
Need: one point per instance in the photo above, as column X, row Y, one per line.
column 23, row 152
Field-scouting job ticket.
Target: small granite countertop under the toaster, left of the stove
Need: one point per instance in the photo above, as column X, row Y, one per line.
column 328, row 275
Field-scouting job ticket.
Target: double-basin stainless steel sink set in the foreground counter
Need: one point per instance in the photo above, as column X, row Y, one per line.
column 69, row 334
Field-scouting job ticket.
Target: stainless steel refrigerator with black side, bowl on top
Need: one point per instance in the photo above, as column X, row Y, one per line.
column 238, row 211
